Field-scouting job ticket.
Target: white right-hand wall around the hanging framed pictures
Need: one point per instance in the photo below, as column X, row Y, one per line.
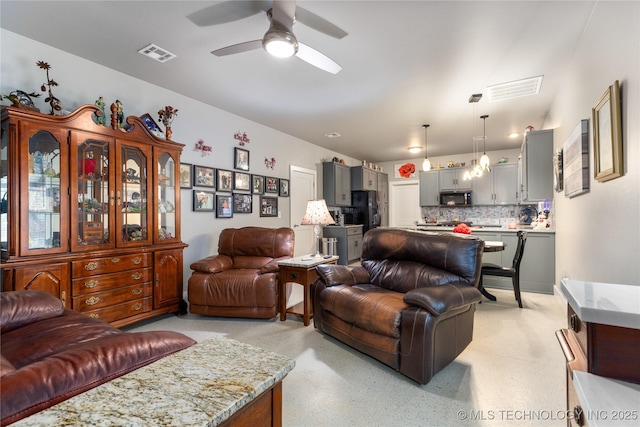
column 598, row 233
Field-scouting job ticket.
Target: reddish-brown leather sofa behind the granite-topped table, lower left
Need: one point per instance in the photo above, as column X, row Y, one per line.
column 50, row 354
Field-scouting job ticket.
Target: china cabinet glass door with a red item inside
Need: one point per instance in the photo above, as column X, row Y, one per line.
column 93, row 198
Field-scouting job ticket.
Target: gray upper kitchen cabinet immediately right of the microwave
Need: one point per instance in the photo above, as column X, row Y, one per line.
column 498, row 187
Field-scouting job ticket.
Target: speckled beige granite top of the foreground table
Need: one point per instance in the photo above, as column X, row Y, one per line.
column 202, row 385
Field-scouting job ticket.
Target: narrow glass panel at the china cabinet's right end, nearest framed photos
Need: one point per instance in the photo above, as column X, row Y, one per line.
column 167, row 196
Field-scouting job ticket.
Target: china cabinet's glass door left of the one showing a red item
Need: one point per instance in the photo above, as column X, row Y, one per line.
column 44, row 214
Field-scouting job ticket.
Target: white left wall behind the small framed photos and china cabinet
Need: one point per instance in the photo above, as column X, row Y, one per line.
column 82, row 82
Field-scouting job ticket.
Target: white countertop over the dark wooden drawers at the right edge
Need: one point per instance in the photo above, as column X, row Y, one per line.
column 605, row 303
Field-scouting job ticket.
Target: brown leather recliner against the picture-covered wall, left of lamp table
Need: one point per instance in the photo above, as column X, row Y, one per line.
column 242, row 279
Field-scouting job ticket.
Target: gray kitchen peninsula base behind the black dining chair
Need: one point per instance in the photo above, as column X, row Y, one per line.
column 538, row 267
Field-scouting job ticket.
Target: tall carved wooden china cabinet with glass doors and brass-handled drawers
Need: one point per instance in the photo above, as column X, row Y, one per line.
column 91, row 214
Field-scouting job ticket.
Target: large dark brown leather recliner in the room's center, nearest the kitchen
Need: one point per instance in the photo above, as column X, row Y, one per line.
column 411, row 303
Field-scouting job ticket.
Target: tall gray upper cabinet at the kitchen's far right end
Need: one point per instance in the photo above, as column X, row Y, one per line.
column 536, row 166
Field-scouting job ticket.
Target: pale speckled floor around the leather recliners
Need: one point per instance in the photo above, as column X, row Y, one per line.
column 513, row 372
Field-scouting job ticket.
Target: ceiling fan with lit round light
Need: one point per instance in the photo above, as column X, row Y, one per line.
column 279, row 39
